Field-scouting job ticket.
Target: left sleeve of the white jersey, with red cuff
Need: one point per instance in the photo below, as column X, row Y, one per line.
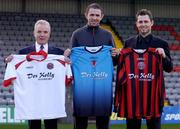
column 10, row 74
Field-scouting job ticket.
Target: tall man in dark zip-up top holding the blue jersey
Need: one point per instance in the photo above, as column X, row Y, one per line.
column 92, row 35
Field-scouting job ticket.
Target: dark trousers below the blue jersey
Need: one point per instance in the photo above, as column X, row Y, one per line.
column 102, row 122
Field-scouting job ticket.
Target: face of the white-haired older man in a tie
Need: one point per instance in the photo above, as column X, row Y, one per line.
column 42, row 33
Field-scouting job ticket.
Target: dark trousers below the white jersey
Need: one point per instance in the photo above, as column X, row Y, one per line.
column 49, row 124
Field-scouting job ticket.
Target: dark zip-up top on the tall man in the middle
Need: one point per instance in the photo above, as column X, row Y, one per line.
column 91, row 37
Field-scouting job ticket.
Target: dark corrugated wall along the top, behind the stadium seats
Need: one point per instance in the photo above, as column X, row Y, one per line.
column 160, row 8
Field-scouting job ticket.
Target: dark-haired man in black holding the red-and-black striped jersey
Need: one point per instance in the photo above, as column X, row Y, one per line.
column 144, row 23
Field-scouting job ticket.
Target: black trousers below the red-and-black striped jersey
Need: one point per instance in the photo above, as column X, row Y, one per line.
column 153, row 123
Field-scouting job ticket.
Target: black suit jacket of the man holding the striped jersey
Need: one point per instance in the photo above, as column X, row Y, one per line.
column 155, row 42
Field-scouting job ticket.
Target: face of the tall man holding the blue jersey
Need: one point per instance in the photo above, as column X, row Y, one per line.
column 94, row 16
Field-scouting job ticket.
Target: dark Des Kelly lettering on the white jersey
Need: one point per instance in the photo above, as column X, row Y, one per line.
column 41, row 76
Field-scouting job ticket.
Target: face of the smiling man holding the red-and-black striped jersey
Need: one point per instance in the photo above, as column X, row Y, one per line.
column 144, row 25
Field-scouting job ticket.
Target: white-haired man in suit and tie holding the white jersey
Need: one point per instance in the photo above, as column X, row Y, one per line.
column 42, row 31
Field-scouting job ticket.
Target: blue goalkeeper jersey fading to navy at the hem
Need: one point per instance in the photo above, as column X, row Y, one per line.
column 93, row 76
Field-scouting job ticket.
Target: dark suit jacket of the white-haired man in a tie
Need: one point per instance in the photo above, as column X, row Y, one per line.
column 51, row 50
